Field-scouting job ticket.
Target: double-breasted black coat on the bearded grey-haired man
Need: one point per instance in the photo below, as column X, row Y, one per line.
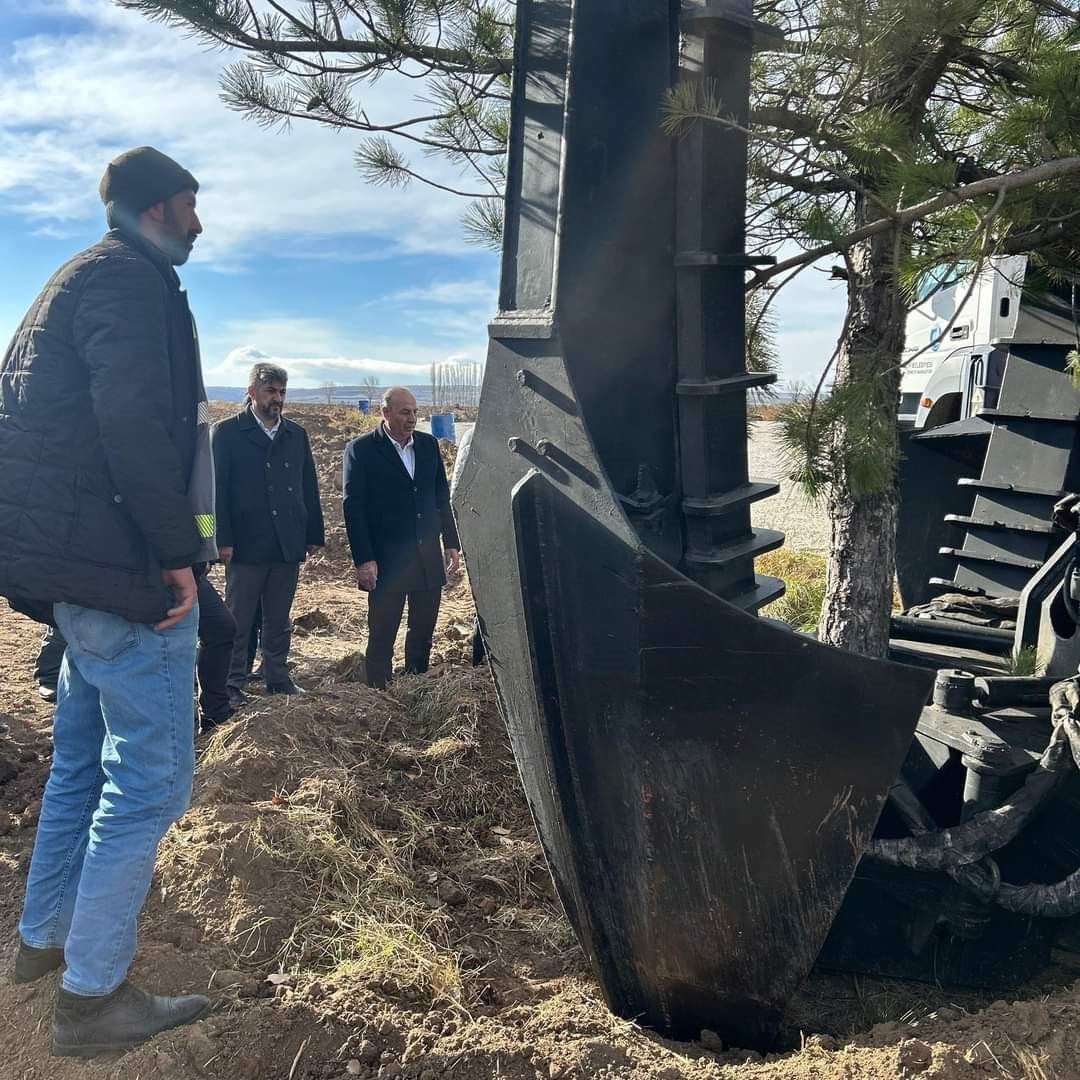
column 268, row 508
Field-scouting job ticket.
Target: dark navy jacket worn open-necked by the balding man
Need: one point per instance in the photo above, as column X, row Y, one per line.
column 397, row 520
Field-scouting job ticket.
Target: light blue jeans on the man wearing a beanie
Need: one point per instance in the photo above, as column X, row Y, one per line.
column 124, row 760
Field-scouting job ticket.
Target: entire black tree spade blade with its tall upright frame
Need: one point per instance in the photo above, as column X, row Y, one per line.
column 703, row 781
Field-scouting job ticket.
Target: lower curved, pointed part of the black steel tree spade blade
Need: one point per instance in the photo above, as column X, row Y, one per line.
column 703, row 780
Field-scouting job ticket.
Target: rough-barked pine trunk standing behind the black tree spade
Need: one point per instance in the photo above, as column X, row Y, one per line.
column 862, row 552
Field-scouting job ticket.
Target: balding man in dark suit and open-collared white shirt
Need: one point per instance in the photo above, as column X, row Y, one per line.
column 401, row 533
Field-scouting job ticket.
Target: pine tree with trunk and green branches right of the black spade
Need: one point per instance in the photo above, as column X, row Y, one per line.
column 895, row 137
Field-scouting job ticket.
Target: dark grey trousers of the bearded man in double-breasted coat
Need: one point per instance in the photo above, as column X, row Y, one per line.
column 275, row 585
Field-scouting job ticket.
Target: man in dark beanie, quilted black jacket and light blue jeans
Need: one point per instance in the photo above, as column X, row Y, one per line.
column 105, row 507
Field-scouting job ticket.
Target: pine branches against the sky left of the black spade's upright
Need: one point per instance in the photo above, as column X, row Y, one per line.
column 314, row 62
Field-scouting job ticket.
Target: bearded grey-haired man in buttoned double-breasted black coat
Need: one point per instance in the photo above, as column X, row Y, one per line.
column 268, row 521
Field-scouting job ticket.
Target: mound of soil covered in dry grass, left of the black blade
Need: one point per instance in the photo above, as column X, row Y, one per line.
column 381, row 822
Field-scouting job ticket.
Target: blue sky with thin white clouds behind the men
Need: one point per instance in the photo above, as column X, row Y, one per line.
column 301, row 260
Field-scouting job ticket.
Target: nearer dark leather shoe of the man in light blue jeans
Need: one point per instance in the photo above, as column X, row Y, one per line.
column 127, row 1018
